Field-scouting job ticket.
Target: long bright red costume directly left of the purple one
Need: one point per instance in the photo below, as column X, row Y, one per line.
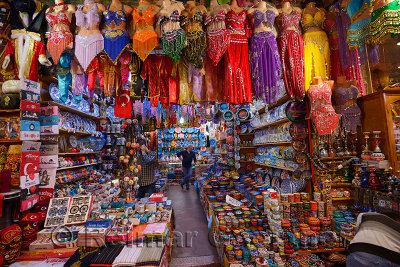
column 237, row 73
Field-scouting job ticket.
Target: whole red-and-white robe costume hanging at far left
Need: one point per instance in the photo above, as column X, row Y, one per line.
column 27, row 51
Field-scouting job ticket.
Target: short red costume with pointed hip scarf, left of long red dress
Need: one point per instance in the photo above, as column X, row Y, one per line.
column 218, row 39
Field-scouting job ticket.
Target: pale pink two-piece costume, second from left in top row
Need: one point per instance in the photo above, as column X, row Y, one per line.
column 87, row 47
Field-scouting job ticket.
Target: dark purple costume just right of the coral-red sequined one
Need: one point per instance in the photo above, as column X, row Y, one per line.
column 351, row 113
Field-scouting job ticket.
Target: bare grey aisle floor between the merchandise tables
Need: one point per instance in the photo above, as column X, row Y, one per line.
column 191, row 221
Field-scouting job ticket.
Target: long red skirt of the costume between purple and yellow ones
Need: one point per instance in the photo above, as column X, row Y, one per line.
column 291, row 48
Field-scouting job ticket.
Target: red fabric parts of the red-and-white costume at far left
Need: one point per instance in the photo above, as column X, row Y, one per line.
column 38, row 49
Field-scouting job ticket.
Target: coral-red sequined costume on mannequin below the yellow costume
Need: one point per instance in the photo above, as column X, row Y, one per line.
column 322, row 114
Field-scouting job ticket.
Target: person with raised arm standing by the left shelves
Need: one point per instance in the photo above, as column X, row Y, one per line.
column 149, row 162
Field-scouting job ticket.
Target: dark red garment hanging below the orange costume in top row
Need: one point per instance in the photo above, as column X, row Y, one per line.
column 157, row 70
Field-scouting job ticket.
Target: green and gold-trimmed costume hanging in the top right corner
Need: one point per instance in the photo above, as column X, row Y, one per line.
column 385, row 20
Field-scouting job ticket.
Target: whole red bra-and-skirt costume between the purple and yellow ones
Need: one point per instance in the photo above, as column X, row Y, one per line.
column 290, row 43
